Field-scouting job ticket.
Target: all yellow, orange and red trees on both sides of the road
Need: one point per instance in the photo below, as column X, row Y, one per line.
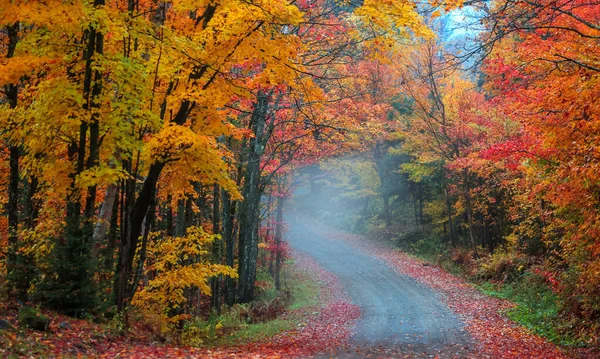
column 148, row 147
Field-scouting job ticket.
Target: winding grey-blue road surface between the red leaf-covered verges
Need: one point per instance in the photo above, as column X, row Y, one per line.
column 399, row 315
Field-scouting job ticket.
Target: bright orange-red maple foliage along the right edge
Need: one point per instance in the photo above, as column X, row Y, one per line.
column 549, row 82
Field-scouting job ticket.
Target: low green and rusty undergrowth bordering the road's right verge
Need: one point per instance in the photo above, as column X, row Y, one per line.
column 503, row 275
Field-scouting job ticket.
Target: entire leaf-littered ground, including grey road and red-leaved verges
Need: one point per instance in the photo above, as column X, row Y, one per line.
column 370, row 301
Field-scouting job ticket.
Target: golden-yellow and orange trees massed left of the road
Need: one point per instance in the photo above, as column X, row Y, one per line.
column 140, row 140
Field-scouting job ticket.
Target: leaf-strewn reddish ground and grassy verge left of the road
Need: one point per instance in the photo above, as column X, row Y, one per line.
column 317, row 324
